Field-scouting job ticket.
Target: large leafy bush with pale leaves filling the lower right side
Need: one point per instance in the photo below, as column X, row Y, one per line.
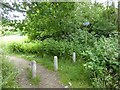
column 103, row 63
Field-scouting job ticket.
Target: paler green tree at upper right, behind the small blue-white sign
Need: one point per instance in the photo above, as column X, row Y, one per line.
column 102, row 19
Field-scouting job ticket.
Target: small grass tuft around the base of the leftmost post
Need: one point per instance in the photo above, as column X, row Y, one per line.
column 35, row 80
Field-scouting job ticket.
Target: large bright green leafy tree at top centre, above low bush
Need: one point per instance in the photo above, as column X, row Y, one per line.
column 50, row 19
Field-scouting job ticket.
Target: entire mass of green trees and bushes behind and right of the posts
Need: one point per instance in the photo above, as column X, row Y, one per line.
column 60, row 29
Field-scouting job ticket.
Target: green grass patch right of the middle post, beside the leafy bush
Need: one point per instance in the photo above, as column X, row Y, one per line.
column 74, row 73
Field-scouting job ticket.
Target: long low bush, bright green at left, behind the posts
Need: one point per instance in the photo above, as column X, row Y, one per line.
column 48, row 46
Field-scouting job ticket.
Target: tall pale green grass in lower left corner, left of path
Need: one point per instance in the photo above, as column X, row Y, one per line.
column 8, row 73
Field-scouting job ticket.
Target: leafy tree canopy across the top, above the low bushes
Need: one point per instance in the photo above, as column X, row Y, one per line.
column 60, row 20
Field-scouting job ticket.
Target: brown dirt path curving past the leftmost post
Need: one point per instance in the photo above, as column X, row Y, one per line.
column 49, row 79
